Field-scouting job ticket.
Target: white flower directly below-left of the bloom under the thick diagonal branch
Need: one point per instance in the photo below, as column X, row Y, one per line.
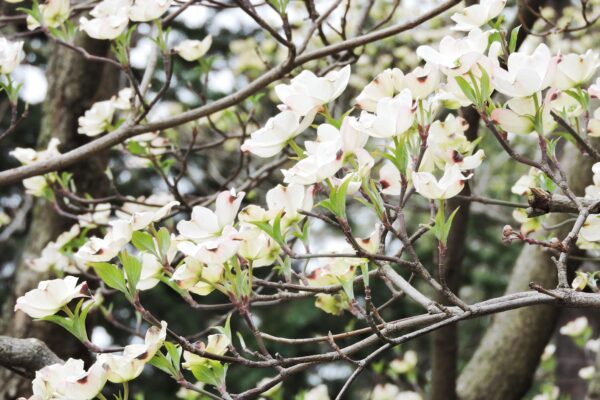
column 272, row 138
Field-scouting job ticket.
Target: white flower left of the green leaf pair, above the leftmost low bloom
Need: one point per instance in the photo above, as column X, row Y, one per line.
column 105, row 249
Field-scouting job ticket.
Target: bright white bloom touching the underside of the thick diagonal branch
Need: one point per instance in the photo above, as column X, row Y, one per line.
column 307, row 92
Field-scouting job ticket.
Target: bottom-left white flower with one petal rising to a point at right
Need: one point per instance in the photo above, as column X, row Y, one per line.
column 129, row 365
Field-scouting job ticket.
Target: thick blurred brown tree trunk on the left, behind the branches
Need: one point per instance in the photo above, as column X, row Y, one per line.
column 73, row 85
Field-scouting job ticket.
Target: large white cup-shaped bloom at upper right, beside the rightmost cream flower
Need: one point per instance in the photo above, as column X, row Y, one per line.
column 526, row 74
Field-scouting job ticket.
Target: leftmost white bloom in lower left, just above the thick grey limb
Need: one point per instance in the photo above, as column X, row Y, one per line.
column 50, row 297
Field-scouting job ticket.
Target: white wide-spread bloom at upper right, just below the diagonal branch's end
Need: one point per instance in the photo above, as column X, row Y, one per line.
column 456, row 56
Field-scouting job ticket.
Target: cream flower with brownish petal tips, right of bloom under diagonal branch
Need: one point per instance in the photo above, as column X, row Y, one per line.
column 386, row 84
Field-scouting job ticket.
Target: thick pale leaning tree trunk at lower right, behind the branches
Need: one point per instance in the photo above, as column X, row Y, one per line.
column 503, row 366
